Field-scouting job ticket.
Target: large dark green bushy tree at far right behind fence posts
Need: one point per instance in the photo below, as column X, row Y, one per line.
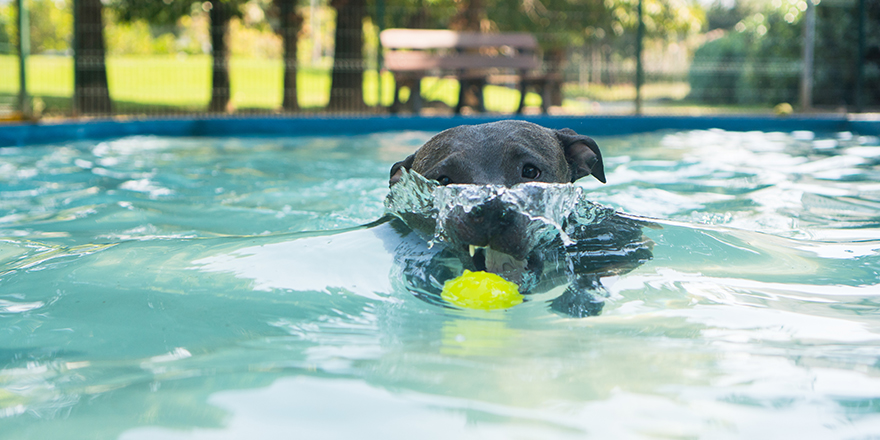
column 760, row 58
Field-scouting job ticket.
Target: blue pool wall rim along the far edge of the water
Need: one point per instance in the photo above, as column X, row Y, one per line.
column 22, row 134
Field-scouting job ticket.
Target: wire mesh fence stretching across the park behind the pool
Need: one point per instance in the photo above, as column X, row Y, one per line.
column 277, row 56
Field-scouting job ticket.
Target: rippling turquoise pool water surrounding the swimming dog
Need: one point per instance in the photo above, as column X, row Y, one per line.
column 175, row 288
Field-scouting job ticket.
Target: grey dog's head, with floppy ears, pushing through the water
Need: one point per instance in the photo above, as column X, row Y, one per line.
column 495, row 233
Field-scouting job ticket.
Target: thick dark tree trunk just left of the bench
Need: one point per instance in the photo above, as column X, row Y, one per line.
column 347, row 88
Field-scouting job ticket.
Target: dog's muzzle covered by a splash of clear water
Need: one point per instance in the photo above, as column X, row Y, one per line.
column 499, row 229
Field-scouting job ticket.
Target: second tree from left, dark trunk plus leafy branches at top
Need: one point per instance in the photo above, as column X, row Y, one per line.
column 167, row 12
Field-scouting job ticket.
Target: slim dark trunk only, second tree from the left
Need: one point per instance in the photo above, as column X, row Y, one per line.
column 220, row 52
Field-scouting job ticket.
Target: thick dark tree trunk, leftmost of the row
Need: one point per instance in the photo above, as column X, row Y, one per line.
column 91, row 94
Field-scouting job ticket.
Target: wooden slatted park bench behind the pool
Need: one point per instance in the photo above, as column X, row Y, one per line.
column 475, row 59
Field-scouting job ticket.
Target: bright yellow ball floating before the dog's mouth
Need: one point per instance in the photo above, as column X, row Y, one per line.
column 482, row 291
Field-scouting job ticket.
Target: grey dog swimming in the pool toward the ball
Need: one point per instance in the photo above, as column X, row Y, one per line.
column 495, row 234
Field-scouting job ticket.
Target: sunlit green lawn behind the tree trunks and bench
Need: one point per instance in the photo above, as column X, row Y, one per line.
column 171, row 84
